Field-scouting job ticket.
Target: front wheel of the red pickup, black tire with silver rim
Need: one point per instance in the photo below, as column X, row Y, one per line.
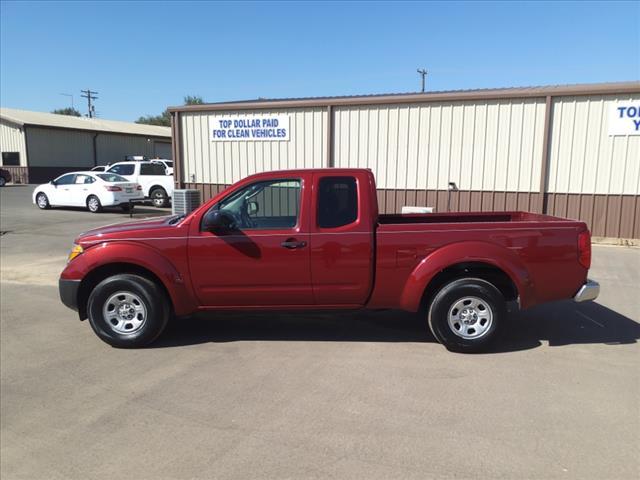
column 128, row 288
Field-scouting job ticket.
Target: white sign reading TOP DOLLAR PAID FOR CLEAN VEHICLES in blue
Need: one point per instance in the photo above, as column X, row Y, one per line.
column 260, row 128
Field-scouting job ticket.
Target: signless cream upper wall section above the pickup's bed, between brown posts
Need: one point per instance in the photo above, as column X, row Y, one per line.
column 489, row 146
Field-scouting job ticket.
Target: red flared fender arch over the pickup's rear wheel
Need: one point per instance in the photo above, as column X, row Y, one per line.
column 463, row 252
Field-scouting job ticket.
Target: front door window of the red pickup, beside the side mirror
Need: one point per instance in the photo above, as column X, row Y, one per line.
column 273, row 204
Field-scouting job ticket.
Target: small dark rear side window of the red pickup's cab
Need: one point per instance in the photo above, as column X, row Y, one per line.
column 337, row 201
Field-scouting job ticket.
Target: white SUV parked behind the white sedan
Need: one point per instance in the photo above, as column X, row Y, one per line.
column 156, row 184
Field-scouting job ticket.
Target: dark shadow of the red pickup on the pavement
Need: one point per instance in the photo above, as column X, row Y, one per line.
column 560, row 323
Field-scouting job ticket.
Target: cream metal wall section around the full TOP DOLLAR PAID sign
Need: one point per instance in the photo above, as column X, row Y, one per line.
column 226, row 162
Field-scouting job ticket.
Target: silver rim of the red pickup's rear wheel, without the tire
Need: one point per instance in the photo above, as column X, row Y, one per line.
column 470, row 318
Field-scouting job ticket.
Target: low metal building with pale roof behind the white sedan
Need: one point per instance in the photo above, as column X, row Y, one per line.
column 37, row 147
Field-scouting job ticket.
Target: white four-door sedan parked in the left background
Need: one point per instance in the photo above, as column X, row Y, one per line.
column 92, row 190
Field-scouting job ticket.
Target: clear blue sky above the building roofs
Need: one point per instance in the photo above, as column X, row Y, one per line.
column 145, row 56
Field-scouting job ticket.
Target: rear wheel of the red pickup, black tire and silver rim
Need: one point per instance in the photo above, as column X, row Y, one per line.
column 466, row 315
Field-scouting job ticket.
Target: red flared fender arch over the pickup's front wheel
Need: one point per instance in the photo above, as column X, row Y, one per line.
column 143, row 256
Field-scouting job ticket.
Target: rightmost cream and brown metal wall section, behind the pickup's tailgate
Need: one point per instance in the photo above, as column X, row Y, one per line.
column 593, row 176
